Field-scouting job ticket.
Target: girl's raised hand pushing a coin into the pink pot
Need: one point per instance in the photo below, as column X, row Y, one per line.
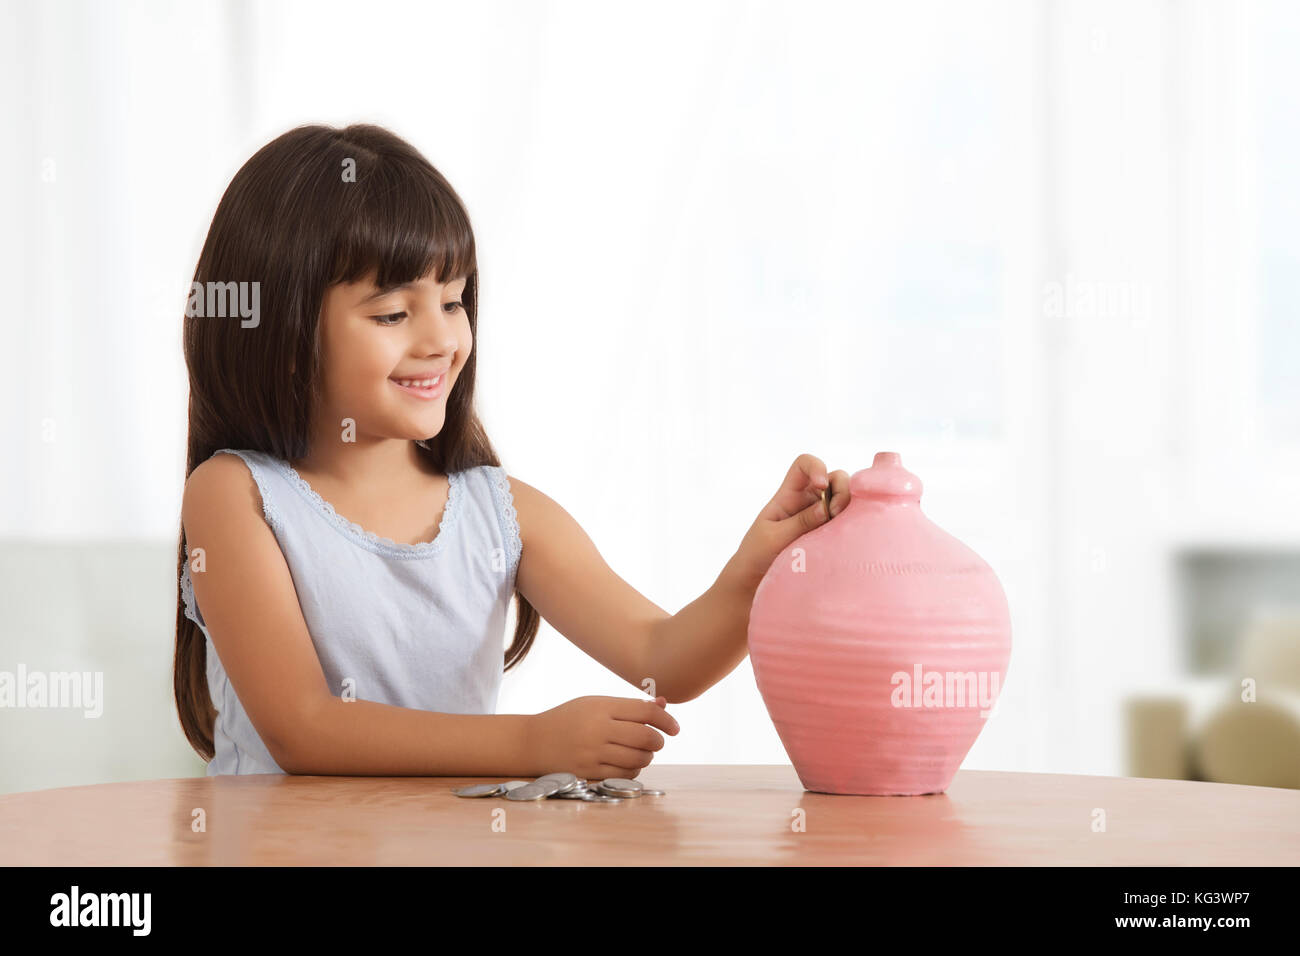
column 794, row 512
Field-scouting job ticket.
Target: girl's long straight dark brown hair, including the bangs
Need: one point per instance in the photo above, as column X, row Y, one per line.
column 315, row 207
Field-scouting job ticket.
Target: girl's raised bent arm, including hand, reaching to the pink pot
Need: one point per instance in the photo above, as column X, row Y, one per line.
column 565, row 578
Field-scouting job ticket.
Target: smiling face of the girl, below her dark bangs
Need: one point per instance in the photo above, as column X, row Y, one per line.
column 392, row 357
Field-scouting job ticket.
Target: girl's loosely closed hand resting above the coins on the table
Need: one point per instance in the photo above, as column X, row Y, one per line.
column 600, row 737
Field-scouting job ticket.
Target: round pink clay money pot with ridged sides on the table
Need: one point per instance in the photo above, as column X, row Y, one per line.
column 879, row 643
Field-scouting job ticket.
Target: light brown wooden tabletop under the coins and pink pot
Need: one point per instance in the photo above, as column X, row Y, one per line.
column 712, row 815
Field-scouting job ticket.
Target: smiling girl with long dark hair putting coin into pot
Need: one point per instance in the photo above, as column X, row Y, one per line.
column 350, row 543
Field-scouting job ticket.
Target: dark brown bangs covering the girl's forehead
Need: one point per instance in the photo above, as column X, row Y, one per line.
column 404, row 224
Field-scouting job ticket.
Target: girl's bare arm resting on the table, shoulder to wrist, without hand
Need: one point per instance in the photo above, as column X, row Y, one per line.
column 257, row 625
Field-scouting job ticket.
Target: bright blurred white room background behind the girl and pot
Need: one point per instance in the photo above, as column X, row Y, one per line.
column 1046, row 252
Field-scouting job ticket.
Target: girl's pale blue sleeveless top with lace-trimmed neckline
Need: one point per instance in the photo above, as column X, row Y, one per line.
column 415, row 626
